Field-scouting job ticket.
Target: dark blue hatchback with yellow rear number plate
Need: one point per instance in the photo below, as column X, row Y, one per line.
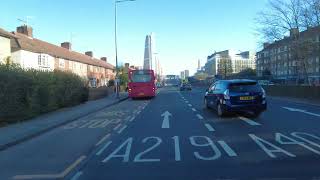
column 227, row 96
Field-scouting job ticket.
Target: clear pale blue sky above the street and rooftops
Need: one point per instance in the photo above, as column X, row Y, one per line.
column 186, row 30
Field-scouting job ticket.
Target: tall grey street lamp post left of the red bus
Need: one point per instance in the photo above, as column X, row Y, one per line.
column 116, row 44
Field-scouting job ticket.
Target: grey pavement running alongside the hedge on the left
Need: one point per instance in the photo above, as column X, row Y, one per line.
column 16, row 133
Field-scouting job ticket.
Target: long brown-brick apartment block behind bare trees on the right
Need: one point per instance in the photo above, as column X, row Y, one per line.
column 278, row 59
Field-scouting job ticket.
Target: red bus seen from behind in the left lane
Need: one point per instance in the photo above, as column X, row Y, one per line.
column 141, row 83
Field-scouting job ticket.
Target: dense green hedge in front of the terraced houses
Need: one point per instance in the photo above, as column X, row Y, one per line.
column 27, row 93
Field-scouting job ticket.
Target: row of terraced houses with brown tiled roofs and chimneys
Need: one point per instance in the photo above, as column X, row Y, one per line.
column 33, row 53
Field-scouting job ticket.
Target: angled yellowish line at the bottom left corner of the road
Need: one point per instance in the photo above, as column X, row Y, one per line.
column 52, row 176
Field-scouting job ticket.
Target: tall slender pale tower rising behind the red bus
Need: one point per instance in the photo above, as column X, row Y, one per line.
column 149, row 52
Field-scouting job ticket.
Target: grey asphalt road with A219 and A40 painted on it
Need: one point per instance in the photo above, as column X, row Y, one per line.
column 174, row 137
